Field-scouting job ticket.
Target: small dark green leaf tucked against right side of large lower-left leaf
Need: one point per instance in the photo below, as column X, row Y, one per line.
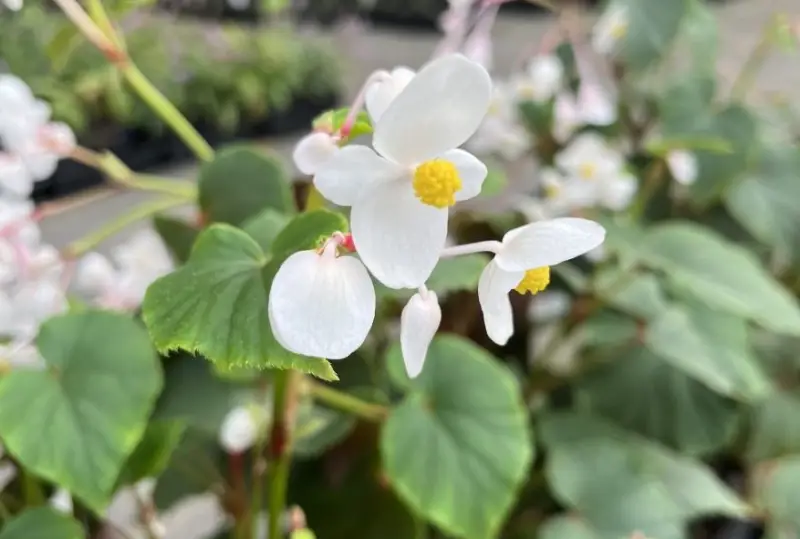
column 154, row 451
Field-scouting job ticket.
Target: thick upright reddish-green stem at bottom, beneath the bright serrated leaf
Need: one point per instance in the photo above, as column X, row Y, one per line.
column 279, row 450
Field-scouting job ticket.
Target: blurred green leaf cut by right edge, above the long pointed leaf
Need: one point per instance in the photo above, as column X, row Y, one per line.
column 764, row 201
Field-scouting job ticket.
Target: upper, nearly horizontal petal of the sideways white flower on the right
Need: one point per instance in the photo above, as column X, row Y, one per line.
column 548, row 243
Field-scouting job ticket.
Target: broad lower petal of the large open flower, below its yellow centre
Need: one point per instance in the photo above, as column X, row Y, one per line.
column 398, row 237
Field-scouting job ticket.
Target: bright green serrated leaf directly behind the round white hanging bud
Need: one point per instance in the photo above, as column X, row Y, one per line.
column 216, row 305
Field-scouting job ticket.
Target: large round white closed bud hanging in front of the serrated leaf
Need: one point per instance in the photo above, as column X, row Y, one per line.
column 322, row 305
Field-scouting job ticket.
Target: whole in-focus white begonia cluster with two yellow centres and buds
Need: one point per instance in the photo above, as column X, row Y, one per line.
column 322, row 302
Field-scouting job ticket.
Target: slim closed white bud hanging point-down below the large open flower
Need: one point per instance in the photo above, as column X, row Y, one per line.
column 418, row 325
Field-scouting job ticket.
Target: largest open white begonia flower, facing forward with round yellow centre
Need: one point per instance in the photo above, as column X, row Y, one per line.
column 400, row 195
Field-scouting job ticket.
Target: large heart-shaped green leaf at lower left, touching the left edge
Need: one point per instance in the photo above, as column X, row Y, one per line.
column 93, row 398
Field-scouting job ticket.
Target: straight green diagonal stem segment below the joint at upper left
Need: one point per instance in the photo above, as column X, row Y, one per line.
column 167, row 111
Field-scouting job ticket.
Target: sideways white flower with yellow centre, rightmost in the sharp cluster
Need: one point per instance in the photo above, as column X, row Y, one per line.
column 522, row 263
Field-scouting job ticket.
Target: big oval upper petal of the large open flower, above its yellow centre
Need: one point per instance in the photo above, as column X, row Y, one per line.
column 438, row 111
